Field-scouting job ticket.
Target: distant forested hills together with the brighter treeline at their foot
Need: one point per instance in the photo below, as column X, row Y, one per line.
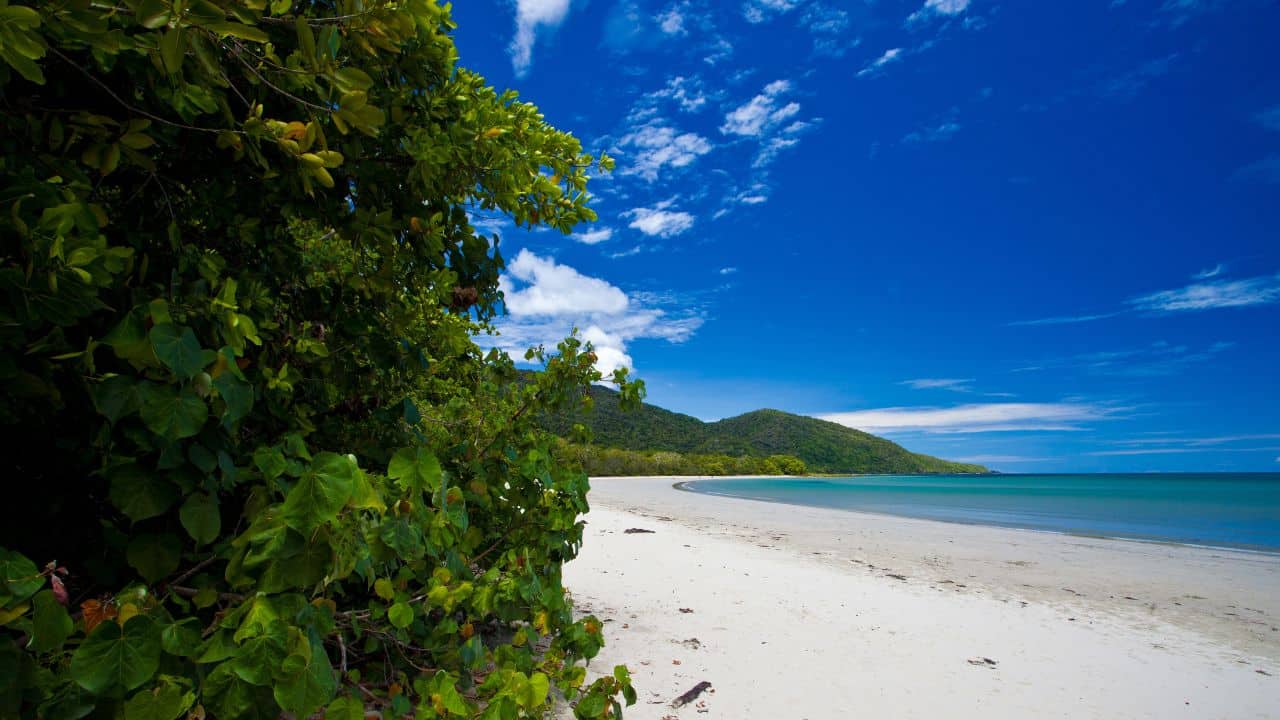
column 665, row 443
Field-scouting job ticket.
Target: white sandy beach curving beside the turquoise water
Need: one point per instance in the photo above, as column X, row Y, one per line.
column 804, row 613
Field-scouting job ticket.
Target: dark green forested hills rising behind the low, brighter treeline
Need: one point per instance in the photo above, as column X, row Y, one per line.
column 826, row 448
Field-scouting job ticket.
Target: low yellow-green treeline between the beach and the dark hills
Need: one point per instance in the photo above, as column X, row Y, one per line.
column 597, row 461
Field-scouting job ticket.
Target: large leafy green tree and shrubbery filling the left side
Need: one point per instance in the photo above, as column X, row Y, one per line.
column 255, row 461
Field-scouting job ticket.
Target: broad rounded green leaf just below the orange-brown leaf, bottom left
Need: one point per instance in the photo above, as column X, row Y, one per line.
column 115, row 659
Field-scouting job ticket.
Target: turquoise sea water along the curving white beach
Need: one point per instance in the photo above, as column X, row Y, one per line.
column 1215, row 509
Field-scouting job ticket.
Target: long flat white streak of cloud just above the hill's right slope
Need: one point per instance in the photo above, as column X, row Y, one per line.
column 976, row 418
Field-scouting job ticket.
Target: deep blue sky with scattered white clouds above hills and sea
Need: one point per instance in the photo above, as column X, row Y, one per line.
column 1037, row 236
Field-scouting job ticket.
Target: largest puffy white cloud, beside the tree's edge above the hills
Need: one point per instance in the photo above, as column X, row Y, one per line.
column 547, row 300
